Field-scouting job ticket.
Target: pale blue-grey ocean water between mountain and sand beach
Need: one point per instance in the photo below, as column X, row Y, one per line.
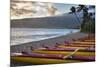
column 24, row 35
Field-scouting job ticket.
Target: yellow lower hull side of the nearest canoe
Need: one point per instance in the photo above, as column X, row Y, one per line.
column 41, row 60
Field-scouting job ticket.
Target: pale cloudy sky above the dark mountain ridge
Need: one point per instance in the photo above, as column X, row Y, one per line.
column 42, row 9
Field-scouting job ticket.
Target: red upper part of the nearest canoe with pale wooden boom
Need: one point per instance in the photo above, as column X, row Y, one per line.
column 60, row 56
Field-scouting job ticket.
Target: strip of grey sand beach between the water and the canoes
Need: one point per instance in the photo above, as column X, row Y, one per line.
column 48, row 42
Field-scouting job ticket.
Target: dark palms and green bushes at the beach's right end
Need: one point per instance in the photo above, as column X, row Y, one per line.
column 88, row 23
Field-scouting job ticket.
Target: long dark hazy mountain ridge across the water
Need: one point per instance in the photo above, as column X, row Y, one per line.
column 59, row 21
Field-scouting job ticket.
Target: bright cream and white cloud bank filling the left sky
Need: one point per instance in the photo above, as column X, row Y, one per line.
column 31, row 9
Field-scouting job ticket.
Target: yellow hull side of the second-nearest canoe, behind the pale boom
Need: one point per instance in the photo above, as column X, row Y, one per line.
column 64, row 52
